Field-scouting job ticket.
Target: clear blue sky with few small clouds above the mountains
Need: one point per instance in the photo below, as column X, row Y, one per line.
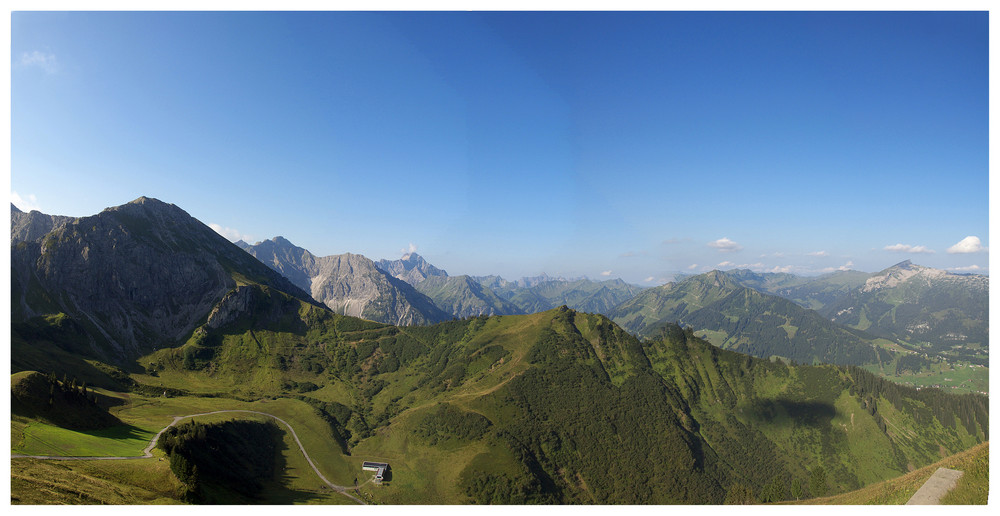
column 630, row 145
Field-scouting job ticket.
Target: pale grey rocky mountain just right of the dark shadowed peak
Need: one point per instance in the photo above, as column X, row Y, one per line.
column 349, row 284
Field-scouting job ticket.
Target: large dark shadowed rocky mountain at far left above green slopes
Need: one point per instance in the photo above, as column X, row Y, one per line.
column 139, row 276
